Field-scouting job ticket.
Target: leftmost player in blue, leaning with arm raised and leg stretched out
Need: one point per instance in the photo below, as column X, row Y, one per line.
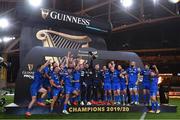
column 36, row 87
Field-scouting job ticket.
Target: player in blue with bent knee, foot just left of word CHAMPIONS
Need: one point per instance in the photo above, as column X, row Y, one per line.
column 67, row 78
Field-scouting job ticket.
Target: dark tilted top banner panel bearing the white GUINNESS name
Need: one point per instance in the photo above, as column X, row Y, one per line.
column 51, row 17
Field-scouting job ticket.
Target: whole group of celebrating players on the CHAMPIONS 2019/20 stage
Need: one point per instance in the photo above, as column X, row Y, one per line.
column 74, row 82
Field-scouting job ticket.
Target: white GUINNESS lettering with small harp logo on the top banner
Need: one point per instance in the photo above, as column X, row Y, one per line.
column 46, row 13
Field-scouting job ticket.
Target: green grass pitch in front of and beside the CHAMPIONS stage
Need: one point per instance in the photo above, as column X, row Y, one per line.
column 136, row 115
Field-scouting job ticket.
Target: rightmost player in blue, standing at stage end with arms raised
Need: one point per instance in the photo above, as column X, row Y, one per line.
column 154, row 89
